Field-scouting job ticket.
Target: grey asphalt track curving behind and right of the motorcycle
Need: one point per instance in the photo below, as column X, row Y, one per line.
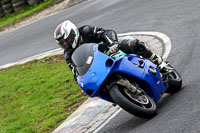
column 180, row 20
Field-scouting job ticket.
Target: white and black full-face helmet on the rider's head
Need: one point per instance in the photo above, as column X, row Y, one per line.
column 66, row 35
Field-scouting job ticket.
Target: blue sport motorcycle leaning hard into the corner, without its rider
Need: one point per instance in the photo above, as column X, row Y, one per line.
column 128, row 80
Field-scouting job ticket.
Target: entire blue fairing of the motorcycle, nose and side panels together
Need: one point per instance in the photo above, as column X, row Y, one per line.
column 104, row 66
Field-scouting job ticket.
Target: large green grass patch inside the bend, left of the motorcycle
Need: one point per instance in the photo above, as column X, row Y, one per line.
column 37, row 96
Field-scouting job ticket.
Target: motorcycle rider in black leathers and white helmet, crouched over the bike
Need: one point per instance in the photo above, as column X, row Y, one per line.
column 69, row 37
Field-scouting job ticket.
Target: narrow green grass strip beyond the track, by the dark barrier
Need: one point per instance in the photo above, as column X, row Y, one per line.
column 15, row 17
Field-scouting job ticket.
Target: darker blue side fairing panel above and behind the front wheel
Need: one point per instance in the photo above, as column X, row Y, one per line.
column 129, row 65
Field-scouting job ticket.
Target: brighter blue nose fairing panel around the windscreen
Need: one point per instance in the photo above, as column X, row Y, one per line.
column 97, row 73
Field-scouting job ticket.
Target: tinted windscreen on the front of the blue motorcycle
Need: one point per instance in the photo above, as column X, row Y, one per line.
column 82, row 58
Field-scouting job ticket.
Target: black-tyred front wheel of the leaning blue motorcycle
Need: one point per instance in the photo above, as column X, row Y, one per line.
column 140, row 105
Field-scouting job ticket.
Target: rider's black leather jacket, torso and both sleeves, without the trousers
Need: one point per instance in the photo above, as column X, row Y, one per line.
column 90, row 34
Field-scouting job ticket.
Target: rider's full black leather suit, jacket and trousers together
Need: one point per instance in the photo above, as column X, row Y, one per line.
column 90, row 34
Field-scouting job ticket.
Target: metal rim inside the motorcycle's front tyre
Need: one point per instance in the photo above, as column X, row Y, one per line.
column 138, row 99
